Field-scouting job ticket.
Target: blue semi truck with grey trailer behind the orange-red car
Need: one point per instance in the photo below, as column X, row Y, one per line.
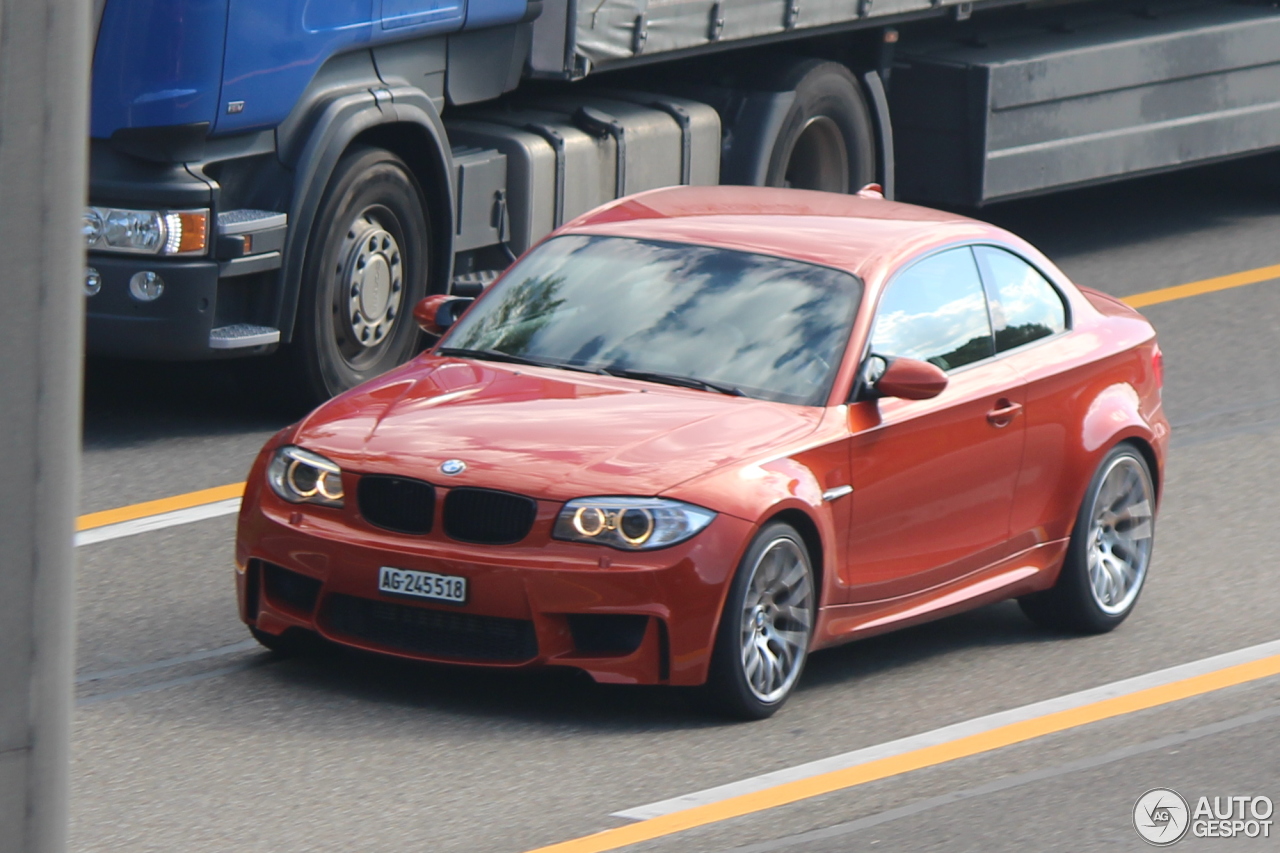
column 281, row 181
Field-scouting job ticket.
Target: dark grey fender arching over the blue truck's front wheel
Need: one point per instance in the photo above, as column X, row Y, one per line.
column 408, row 126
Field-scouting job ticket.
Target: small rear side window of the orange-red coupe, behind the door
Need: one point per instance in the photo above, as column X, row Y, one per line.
column 1025, row 307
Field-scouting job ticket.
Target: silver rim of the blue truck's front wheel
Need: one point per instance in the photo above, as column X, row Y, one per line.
column 374, row 277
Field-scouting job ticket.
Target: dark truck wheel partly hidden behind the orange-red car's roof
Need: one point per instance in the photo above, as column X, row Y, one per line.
column 826, row 142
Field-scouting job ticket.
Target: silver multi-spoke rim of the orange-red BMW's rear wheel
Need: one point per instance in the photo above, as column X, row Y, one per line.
column 1121, row 535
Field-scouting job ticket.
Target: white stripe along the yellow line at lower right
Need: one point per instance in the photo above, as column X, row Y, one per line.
column 956, row 732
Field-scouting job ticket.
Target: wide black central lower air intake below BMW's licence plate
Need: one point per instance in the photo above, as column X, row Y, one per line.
column 432, row 633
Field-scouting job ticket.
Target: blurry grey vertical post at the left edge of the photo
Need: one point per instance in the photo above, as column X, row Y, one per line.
column 44, row 97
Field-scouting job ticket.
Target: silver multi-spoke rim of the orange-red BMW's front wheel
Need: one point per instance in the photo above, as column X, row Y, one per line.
column 778, row 621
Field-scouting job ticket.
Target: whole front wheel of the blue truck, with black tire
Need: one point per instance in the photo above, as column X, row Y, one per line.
column 365, row 270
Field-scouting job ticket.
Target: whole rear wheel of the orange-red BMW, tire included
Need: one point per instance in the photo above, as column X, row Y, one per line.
column 1110, row 551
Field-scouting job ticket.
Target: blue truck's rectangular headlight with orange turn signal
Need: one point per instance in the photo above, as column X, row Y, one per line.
column 147, row 232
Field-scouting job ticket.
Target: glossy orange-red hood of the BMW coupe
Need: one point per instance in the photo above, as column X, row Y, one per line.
column 542, row 432
